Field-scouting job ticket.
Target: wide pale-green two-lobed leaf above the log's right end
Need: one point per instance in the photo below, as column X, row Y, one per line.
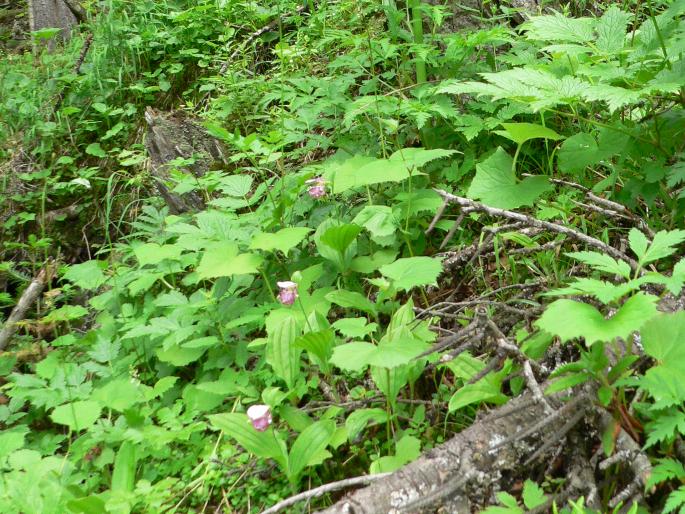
column 569, row 319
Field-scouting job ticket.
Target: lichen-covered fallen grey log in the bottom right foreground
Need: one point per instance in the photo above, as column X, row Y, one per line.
column 462, row 475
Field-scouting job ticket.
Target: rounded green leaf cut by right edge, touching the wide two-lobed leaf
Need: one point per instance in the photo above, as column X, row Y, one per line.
column 663, row 338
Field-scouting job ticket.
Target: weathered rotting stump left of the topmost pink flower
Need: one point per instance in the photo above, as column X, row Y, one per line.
column 173, row 135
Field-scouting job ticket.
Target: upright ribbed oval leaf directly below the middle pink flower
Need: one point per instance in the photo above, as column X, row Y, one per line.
column 281, row 352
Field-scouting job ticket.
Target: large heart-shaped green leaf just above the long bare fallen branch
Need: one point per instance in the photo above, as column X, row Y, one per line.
column 495, row 184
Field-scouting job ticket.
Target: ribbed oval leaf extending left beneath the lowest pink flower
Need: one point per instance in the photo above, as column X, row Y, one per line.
column 261, row 444
